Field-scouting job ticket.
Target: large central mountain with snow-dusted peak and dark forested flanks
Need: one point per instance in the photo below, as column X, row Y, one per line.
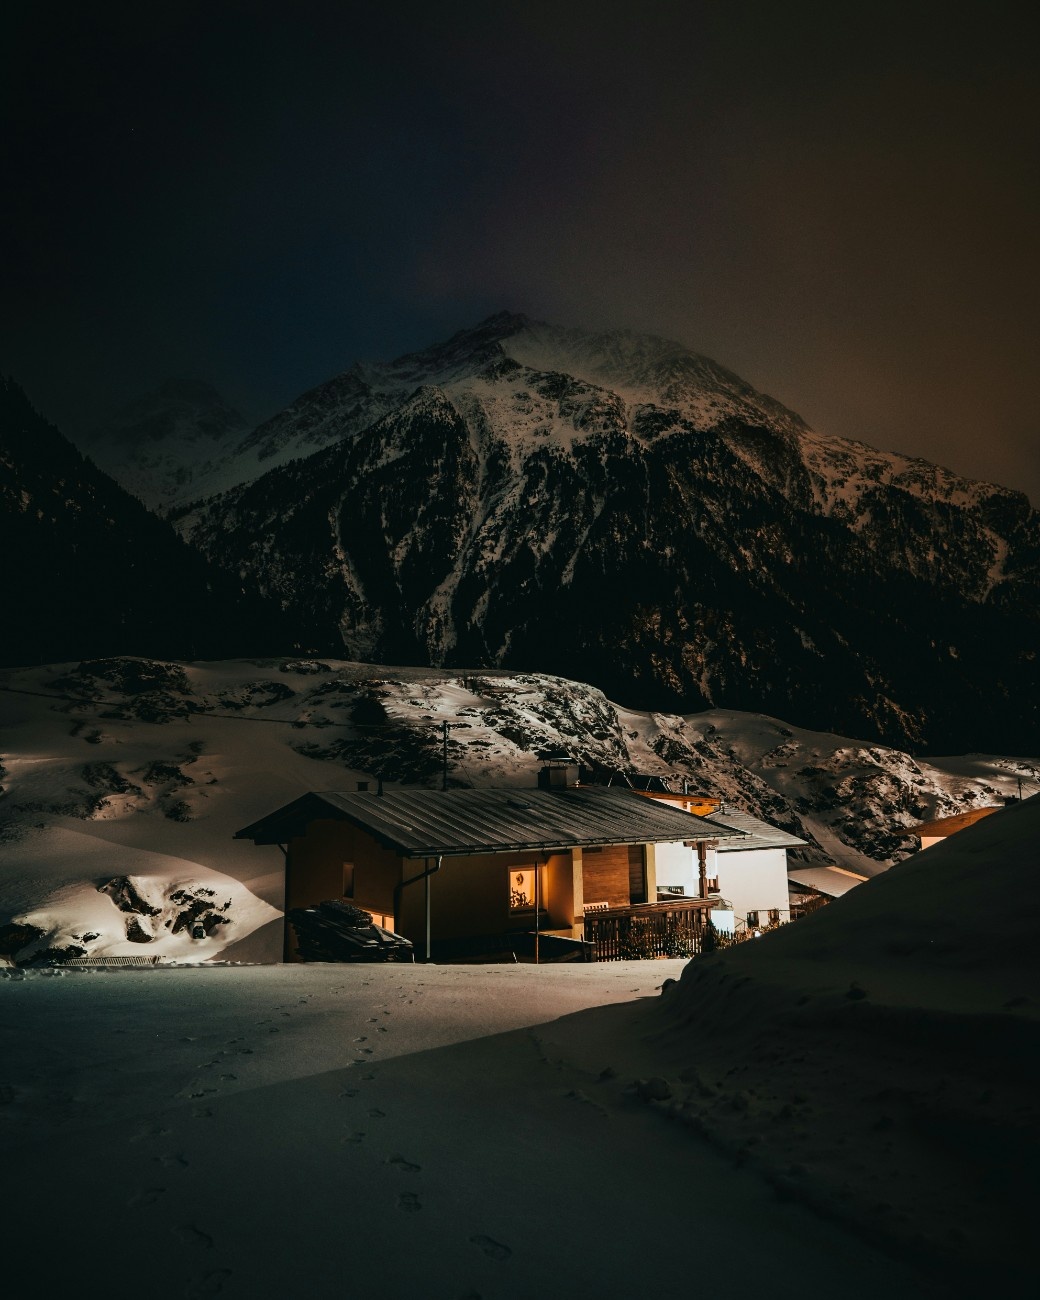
column 617, row 509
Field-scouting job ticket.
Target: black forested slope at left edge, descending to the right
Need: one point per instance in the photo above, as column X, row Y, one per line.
column 88, row 570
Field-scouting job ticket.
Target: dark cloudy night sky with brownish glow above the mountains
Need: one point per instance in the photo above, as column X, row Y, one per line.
column 840, row 203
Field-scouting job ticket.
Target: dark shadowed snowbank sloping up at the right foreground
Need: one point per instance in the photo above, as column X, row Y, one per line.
column 877, row 1061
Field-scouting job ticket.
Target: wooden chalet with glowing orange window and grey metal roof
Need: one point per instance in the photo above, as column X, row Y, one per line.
column 441, row 866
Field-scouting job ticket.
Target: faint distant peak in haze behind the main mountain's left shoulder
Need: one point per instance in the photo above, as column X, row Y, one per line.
column 163, row 444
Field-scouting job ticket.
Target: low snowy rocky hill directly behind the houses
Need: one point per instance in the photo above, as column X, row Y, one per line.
column 133, row 775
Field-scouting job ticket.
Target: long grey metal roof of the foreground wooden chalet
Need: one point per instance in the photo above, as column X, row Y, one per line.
column 422, row 824
